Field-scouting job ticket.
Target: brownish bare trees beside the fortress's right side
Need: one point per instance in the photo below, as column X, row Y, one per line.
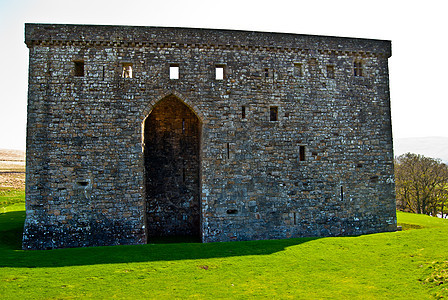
column 421, row 185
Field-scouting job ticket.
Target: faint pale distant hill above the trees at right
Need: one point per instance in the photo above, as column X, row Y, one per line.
column 434, row 147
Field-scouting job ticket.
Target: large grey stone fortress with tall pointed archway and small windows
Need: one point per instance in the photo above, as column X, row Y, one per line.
column 136, row 133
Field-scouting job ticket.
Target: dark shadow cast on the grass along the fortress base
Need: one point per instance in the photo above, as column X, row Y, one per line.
column 12, row 256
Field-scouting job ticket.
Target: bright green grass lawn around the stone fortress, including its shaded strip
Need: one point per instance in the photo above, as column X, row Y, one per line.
column 411, row 264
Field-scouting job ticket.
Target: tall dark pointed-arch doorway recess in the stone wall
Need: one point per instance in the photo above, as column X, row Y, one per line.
column 171, row 139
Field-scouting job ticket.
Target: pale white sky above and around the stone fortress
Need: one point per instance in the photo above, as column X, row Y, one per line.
column 418, row 31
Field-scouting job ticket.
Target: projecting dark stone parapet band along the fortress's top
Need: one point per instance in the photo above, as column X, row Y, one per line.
column 98, row 34
